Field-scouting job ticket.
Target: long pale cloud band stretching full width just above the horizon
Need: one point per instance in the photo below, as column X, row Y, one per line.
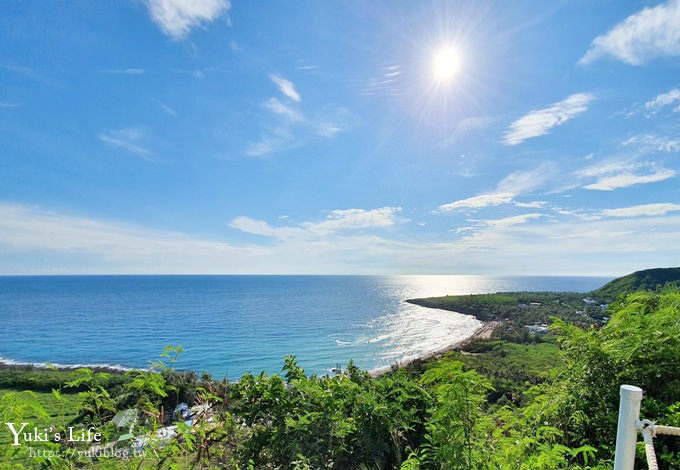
column 44, row 240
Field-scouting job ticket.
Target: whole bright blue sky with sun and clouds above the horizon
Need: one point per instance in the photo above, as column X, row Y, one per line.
column 395, row 137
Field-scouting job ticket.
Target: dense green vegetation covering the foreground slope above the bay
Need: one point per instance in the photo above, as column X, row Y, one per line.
column 549, row 402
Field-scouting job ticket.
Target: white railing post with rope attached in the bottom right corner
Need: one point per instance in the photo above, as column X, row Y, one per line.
column 626, row 434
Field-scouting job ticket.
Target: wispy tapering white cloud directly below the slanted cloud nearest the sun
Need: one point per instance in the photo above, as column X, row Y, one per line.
column 512, row 186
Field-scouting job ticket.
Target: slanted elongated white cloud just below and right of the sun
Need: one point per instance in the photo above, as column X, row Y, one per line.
column 539, row 122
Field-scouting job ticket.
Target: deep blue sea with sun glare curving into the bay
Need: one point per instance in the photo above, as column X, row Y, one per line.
column 229, row 325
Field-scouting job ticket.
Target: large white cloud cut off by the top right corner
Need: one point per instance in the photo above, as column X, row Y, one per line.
column 650, row 33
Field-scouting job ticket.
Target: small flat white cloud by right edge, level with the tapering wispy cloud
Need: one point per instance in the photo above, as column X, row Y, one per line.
column 624, row 174
